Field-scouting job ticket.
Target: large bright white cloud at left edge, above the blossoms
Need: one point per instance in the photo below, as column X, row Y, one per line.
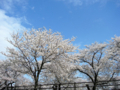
column 8, row 25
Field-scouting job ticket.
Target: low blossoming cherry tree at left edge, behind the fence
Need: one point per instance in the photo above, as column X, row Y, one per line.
column 7, row 74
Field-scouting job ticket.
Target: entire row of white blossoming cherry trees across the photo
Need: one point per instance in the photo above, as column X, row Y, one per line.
column 48, row 58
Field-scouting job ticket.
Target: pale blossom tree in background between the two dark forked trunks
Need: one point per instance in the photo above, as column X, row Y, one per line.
column 60, row 72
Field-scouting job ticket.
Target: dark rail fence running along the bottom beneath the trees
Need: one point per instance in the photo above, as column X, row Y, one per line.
column 101, row 85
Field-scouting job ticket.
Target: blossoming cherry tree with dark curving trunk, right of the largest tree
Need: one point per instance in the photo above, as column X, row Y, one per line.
column 95, row 64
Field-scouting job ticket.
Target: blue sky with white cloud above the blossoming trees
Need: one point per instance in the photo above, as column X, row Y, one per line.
column 87, row 20
